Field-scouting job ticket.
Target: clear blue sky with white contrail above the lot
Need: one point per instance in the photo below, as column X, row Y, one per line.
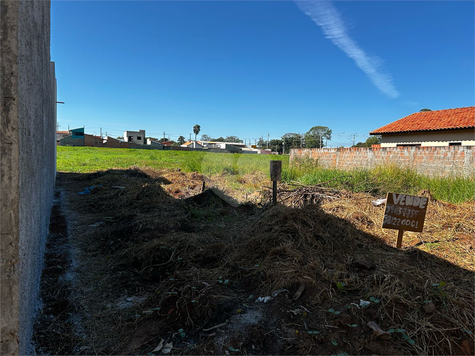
column 252, row 68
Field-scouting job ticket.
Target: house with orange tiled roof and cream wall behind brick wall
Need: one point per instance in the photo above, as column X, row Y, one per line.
column 450, row 127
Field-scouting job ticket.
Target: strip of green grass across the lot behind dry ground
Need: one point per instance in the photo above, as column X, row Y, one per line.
column 377, row 181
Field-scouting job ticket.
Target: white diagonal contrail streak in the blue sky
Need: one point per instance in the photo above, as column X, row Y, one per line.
column 327, row 17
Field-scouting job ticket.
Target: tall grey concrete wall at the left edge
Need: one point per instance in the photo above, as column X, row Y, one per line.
column 27, row 164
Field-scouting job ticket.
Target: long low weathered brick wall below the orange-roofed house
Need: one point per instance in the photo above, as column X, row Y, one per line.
column 432, row 161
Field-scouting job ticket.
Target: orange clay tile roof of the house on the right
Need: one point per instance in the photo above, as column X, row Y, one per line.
column 449, row 119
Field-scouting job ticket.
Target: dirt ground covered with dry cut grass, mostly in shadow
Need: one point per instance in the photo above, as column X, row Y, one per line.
column 156, row 262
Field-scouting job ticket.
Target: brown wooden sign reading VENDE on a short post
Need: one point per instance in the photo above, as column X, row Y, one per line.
column 404, row 213
